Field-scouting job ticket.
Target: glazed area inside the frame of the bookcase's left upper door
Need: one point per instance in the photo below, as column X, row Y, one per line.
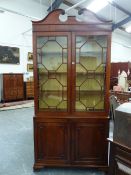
column 52, row 73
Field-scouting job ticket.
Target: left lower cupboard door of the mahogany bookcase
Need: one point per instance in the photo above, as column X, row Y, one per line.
column 51, row 145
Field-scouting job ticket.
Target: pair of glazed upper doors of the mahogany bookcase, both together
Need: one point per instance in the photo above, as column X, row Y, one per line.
column 71, row 71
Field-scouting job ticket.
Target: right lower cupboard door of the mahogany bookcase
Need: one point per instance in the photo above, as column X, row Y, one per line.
column 89, row 143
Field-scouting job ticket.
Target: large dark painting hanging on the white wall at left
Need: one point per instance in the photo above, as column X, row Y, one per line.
column 9, row 55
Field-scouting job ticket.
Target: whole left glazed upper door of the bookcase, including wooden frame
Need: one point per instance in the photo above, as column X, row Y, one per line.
column 53, row 71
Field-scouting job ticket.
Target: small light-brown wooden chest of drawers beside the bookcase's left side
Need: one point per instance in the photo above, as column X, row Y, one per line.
column 29, row 89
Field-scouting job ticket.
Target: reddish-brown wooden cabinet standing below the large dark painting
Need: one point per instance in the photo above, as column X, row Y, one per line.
column 12, row 87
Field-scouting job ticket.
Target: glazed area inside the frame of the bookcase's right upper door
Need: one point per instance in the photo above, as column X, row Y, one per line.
column 90, row 72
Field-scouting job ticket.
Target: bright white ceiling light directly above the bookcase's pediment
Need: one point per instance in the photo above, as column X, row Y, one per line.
column 97, row 5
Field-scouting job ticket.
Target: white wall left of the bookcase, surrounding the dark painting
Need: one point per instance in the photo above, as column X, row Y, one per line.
column 11, row 30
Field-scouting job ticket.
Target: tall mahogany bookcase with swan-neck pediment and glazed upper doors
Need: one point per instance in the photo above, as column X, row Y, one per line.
column 71, row 74
